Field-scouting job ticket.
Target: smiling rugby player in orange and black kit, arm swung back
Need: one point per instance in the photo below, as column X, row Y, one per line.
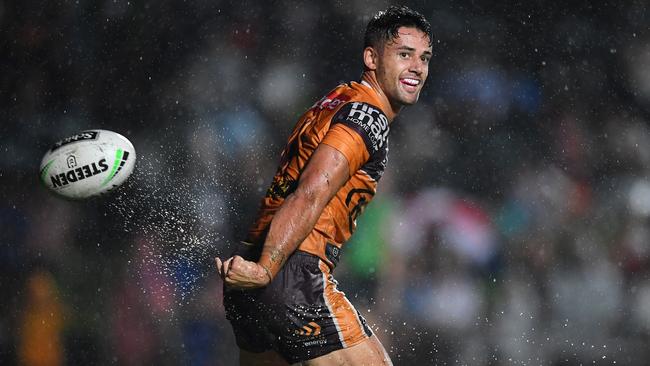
column 280, row 295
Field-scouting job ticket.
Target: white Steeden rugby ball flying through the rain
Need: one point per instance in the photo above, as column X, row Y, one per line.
column 87, row 164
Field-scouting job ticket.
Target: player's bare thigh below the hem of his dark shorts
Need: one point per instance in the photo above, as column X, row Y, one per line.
column 368, row 352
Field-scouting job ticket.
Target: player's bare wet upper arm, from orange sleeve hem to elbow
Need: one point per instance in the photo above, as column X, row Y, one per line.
column 326, row 172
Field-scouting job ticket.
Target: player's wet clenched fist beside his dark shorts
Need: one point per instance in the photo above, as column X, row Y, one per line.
column 240, row 273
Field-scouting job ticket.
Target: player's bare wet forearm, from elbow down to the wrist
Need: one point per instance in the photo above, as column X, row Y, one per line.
column 290, row 226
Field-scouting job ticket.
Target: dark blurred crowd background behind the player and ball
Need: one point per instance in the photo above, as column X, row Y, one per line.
column 512, row 226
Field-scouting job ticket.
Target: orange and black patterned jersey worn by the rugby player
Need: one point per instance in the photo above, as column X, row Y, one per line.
column 350, row 119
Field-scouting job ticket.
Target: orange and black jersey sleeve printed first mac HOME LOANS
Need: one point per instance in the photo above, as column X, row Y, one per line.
column 359, row 131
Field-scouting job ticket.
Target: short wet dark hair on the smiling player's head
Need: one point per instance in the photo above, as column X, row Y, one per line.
column 384, row 25
